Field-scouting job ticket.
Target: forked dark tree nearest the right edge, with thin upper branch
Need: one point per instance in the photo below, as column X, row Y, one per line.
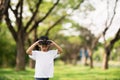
column 108, row 46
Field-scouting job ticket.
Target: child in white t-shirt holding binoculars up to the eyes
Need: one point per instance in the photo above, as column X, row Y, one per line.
column 44, row 58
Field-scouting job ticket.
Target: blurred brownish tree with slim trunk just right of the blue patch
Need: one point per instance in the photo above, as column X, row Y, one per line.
column 90, row 42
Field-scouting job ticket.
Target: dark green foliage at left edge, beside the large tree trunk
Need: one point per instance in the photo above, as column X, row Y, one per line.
column 7, row 48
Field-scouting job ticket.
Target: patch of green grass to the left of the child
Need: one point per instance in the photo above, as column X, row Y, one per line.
column 11, row 74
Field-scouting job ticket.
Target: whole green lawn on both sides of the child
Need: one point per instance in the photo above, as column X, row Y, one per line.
column 65, row 72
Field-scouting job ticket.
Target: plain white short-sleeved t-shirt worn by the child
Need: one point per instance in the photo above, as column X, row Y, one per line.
column 44, row 66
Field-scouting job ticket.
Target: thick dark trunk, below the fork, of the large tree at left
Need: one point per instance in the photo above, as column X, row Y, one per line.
column 20, row 58
